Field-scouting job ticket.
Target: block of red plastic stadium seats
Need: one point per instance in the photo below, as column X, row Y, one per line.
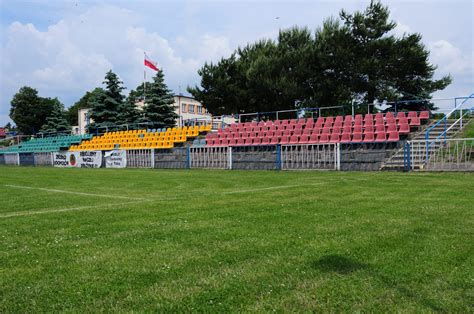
column 369, row 128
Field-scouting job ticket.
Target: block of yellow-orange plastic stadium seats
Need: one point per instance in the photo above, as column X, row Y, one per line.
column 142, row 139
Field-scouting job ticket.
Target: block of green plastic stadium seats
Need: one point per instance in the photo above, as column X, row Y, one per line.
column 47, row 144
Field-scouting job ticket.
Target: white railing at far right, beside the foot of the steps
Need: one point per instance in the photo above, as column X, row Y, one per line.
column 442, row 154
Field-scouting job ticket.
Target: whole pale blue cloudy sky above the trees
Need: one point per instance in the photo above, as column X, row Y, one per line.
column 64, row 48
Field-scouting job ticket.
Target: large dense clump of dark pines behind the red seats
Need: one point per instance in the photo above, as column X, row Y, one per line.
column 356, row 57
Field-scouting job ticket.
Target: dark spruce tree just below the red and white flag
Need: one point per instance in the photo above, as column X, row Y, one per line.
column 159, row 109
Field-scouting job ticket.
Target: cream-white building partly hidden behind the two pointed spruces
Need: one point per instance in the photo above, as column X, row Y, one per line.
column 189, row 110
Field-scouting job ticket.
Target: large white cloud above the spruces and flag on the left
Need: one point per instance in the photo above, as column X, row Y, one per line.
column 72, row 56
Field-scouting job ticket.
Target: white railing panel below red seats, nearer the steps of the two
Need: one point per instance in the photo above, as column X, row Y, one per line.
column 310, row 156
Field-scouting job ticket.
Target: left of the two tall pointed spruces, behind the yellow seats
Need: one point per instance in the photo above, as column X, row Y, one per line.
column 106, row 105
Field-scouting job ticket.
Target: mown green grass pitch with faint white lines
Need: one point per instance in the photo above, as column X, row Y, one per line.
column 106, row 240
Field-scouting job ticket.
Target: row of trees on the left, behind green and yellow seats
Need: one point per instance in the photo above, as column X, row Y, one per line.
column 109, row 107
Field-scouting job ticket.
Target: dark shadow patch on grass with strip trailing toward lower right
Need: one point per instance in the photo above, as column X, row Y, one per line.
column 342, row 265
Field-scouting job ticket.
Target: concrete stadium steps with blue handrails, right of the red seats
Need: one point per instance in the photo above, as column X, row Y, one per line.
column 396, row 162
